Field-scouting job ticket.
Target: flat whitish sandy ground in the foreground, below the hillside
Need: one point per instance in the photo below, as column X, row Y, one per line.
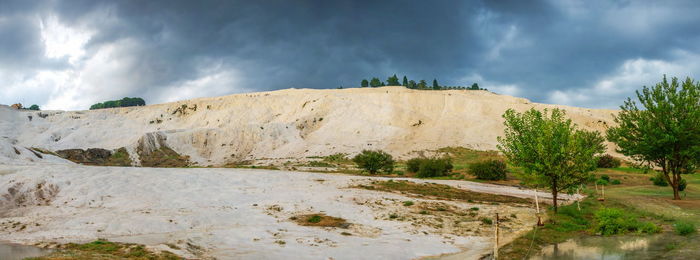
column 234, row 213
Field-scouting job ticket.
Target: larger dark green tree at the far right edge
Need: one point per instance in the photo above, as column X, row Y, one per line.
column 665, row 132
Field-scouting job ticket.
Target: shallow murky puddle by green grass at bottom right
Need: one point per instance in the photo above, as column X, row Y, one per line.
column 609, row 248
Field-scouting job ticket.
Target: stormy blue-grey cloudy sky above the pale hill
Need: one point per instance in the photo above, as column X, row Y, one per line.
column 71, row 54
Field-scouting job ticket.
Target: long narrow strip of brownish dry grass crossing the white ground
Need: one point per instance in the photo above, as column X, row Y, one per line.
column 439, row 191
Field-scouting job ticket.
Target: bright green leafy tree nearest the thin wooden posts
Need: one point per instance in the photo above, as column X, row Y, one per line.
column 550, row 148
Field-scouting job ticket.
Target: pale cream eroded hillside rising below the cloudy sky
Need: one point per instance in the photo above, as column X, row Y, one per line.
column 292, row 123
